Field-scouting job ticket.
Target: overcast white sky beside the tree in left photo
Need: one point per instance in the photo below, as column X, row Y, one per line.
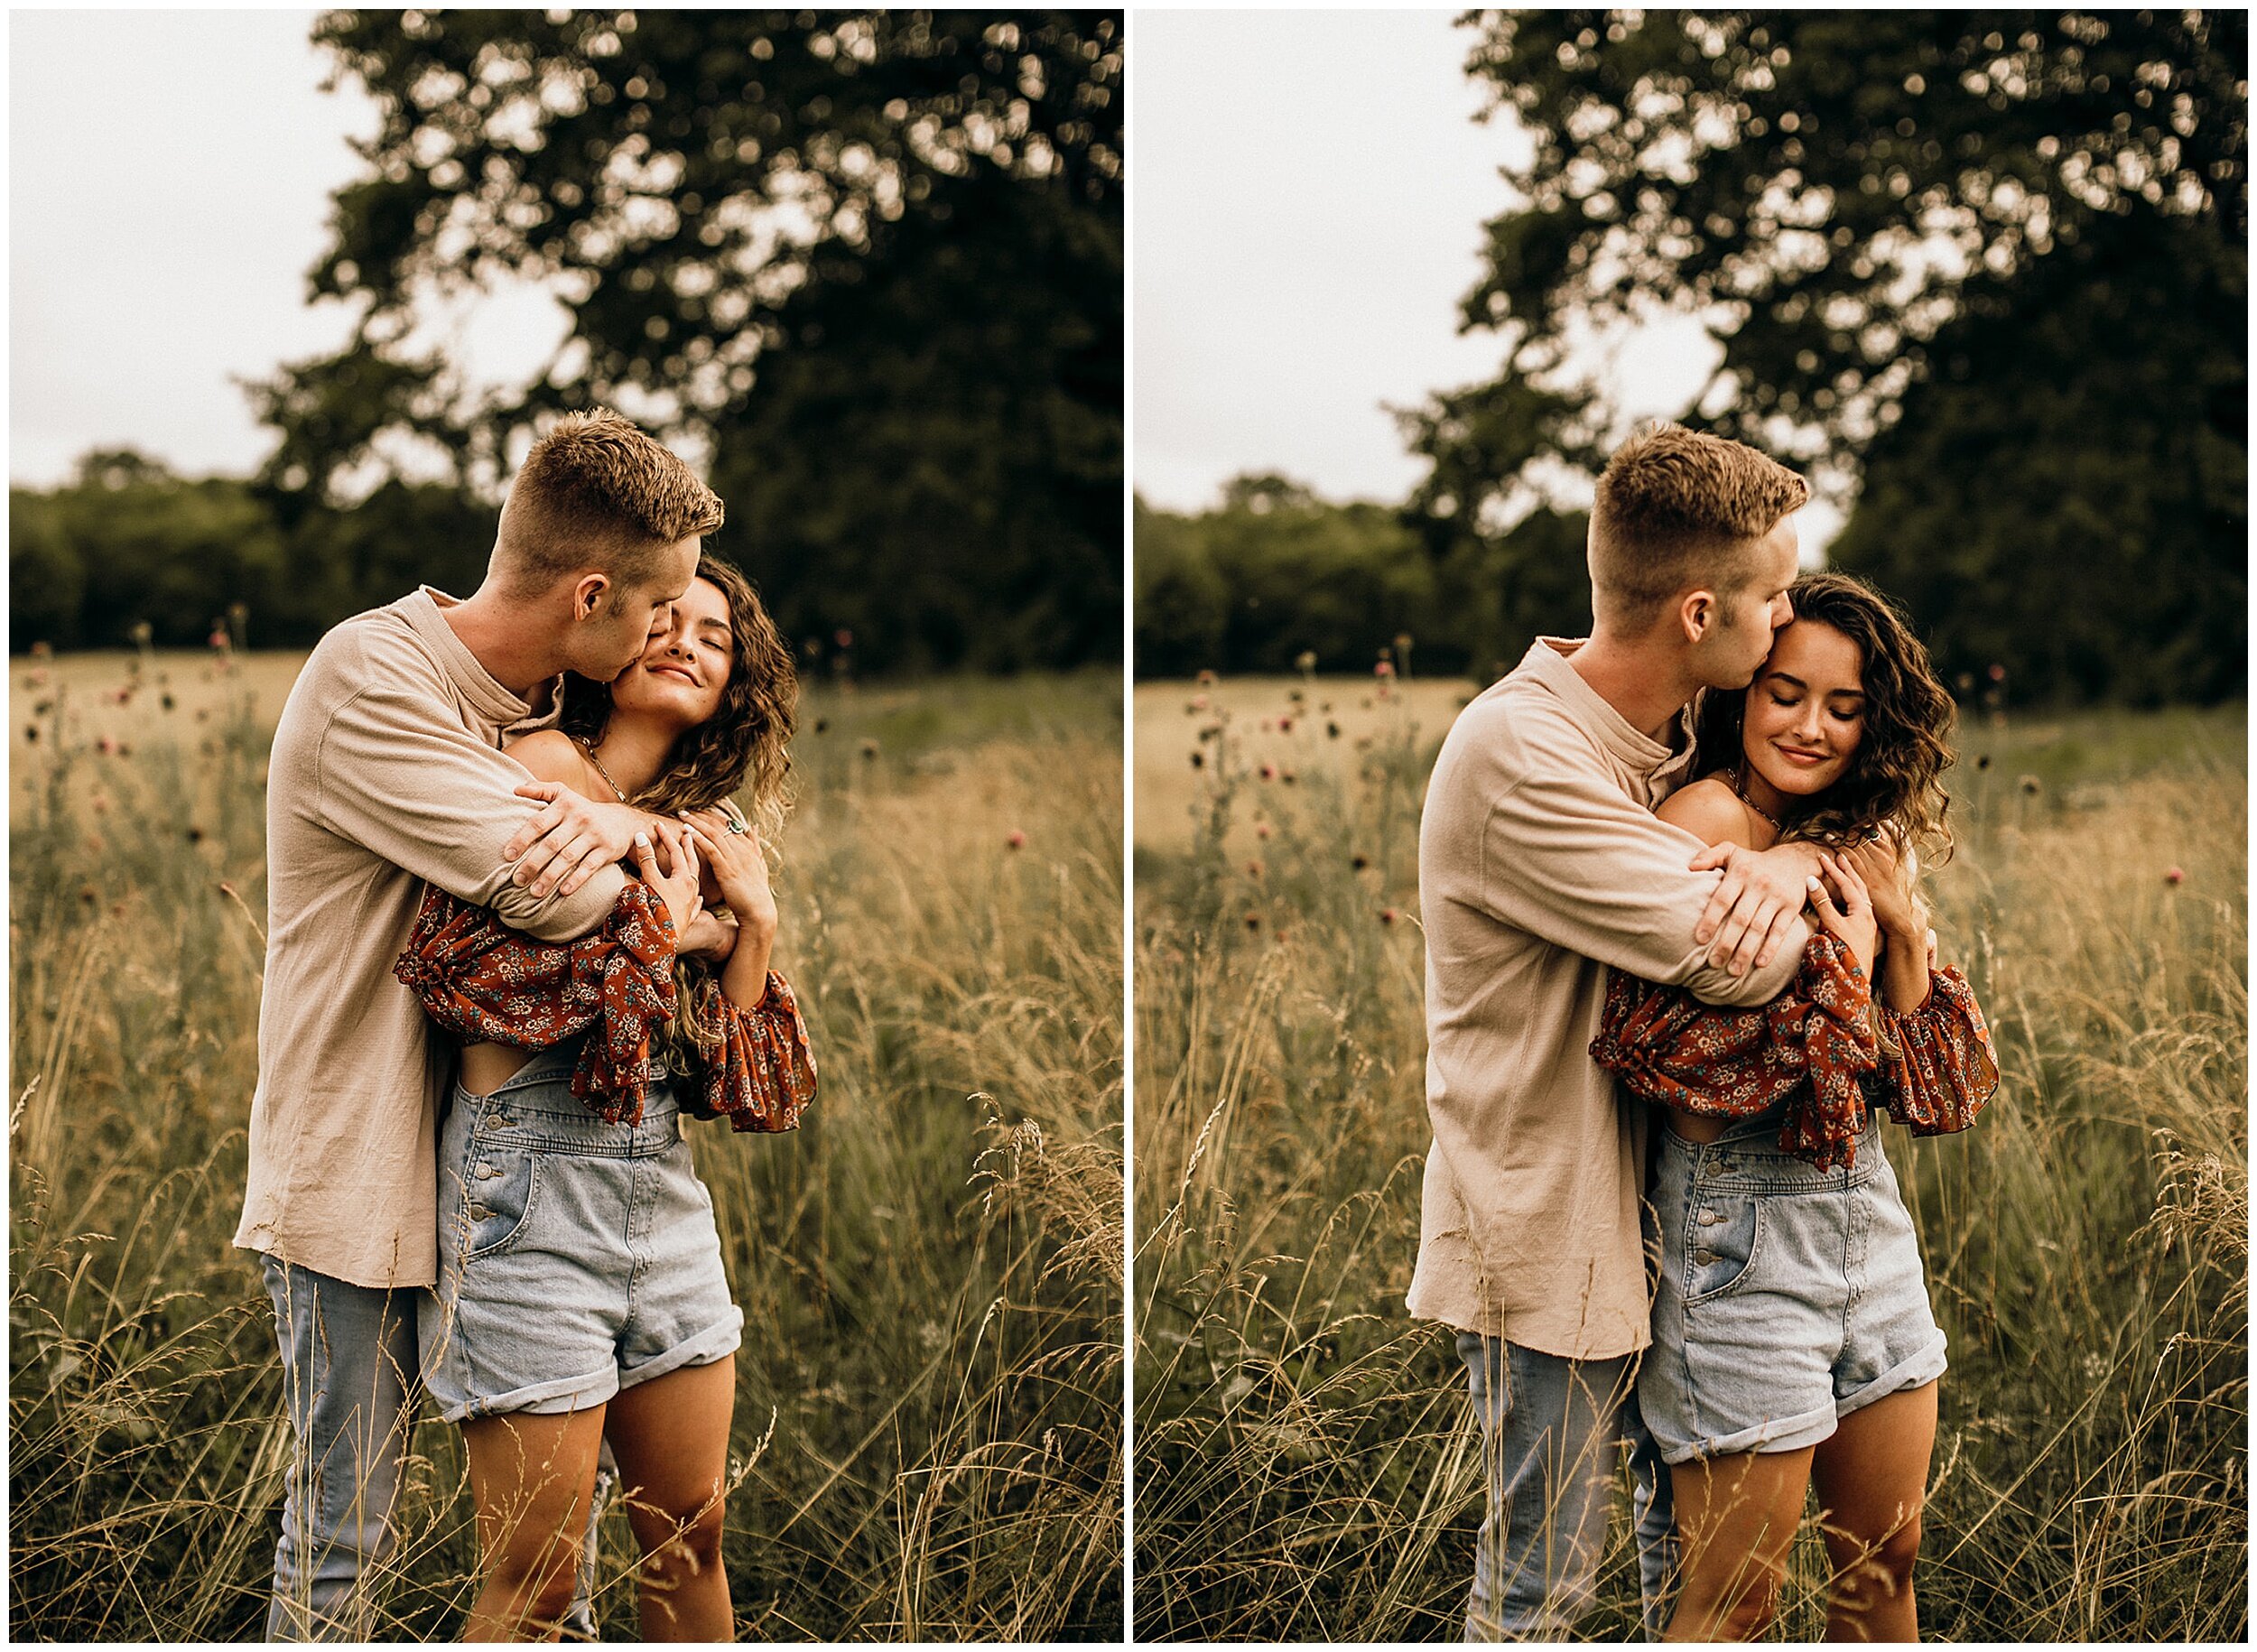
column 170, row 184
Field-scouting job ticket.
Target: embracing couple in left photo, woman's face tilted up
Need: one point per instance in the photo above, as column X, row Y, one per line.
column 480, row 1037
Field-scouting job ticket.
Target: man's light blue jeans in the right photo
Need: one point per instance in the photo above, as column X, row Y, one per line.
column 1552, row 1436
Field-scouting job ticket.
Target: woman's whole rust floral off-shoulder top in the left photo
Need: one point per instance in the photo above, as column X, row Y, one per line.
column 484, row 981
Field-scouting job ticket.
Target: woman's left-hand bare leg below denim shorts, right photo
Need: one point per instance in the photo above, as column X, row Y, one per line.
column 1735, row 1524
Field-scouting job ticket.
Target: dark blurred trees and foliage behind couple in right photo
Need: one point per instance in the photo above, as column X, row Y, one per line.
column 1983, row 274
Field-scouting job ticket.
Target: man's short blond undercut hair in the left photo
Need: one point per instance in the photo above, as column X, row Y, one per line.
column 597, row 495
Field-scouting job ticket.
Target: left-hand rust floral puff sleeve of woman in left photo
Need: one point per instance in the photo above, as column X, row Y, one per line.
column 484, row 981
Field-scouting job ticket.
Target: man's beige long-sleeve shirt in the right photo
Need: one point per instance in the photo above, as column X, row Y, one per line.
column 1540, row 868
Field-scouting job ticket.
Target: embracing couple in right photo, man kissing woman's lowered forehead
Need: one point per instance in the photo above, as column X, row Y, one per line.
column 1678, row 967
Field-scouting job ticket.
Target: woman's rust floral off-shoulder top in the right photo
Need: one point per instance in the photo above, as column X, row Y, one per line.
column 1813, row 1051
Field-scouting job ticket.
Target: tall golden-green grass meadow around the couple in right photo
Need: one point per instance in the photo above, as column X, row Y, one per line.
column 1308, row 1466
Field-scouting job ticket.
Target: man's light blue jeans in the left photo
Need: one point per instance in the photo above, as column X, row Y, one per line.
column 349, row 1380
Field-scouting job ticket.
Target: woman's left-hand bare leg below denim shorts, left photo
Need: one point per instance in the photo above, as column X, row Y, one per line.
column 532, row 1479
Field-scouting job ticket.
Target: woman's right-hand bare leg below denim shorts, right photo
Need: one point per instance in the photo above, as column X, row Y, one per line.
column 1872, row 1479
